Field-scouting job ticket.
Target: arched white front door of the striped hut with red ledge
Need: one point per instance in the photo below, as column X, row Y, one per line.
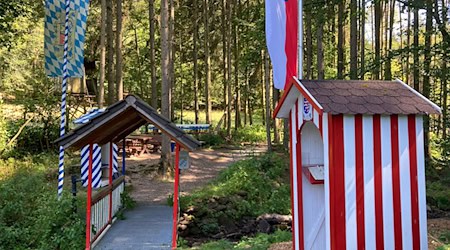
column 312, row 156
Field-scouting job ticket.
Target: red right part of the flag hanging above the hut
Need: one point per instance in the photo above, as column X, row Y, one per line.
column 291, row 39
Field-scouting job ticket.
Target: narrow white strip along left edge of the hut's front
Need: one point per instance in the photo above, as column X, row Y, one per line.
column 294, row 175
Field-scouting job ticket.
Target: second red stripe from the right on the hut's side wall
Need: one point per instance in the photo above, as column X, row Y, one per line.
column 396, row 183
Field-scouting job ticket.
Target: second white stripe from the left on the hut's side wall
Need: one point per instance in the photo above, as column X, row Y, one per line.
column 369, row 187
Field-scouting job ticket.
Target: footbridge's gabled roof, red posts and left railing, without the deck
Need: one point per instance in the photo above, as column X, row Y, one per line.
column 113, row 125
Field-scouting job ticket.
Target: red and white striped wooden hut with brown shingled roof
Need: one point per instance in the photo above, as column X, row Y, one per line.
column 357, row 164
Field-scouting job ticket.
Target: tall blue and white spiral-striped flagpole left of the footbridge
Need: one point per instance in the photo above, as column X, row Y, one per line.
column 63, row 100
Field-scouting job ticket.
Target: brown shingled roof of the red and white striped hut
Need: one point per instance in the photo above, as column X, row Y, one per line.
column 360, row 97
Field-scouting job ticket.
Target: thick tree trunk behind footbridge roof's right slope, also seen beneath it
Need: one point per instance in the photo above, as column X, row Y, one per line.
column 165, row 83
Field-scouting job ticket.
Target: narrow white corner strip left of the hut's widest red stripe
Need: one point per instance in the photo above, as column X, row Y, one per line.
column 327, row 179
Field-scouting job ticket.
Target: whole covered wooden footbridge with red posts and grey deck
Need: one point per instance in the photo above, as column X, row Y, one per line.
column 102, row 205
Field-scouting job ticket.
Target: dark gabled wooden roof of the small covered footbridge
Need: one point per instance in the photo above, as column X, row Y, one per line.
column 120, row 120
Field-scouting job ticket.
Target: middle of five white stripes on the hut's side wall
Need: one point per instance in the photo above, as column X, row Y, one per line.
column 386, row 185
